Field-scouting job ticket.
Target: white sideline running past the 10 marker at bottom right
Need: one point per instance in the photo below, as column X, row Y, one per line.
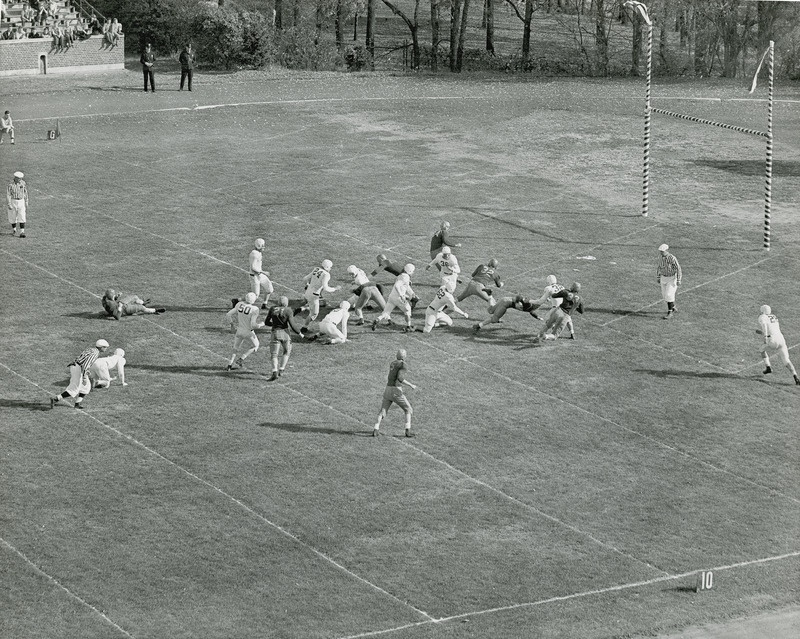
column 578, row 595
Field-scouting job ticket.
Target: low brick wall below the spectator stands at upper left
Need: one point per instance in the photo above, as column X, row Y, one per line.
column 22, row 57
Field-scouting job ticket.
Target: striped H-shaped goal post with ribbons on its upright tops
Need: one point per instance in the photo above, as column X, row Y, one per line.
column 769, row 56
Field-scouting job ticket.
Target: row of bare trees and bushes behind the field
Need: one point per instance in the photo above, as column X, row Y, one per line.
column 691, row 37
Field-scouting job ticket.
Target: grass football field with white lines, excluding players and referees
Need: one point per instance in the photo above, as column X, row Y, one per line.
column 573, row 489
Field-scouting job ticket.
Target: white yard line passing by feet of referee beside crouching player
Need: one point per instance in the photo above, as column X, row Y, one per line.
column 238, row 502
